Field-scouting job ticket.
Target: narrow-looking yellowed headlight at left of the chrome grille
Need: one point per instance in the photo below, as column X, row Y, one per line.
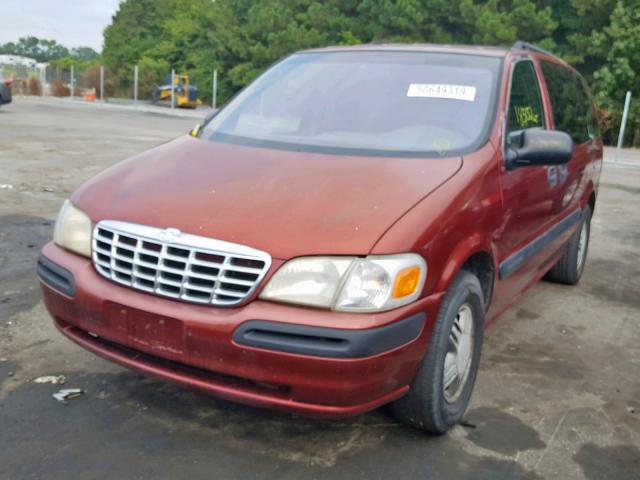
column 73, row 230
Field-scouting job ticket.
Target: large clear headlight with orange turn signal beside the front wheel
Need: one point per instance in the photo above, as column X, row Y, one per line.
column 371, row 284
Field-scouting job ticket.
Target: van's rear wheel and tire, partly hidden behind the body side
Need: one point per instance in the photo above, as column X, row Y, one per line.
column 569, row 268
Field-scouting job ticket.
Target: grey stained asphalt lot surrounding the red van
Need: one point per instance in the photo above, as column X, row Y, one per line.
column 558, row 395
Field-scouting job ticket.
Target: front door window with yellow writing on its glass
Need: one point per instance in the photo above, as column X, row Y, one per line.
column 525, row 103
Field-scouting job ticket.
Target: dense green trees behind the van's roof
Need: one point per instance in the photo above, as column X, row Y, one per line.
column 240, row 38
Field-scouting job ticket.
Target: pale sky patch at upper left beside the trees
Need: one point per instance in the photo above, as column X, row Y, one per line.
column 77, row 23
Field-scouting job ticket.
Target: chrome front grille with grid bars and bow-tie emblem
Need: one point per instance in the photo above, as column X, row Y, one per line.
column 177, row 265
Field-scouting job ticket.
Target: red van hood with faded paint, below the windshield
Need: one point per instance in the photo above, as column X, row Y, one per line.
column 285, row 203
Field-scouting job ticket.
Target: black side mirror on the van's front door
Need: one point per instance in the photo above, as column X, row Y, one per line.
column 540, row 147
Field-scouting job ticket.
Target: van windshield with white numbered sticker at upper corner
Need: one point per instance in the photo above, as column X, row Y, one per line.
column 366, row 103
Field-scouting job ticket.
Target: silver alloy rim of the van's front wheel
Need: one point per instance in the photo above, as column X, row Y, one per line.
column 457, row 361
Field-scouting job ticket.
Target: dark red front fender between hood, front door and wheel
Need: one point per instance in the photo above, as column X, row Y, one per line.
column 455, row 221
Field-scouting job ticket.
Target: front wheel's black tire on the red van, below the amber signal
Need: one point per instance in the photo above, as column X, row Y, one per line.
column 427, row 405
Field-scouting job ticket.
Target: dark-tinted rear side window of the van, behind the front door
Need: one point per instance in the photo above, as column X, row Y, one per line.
column 572, row 109
